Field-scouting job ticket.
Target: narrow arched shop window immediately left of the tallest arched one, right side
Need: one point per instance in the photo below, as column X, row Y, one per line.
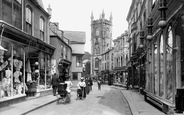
column 161, row 84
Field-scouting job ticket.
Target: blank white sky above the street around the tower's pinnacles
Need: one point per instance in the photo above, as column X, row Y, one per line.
column 75, row 15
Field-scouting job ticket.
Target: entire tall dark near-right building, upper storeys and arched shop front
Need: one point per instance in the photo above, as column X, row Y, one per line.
column 160, row 53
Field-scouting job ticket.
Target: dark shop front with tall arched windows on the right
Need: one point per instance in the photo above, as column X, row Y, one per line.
column 165, row 54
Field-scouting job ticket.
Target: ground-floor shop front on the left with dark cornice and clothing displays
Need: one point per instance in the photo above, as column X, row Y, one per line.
column 24, row 65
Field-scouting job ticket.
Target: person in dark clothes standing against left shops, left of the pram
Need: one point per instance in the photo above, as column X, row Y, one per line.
column 54, row 83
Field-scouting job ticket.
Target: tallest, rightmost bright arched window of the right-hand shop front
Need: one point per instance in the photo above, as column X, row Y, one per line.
column 169, row 64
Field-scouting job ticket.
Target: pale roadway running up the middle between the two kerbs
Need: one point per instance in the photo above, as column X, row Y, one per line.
column 107, row 101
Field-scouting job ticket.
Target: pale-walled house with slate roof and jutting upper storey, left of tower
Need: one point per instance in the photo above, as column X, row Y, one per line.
column 77, row 41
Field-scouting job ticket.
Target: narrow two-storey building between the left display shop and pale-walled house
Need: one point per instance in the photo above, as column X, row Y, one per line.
column 62, row 57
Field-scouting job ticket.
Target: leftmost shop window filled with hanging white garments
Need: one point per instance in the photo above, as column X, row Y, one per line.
column 11, row 71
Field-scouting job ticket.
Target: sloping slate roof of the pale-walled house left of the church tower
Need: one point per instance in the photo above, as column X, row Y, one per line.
column 75, row 36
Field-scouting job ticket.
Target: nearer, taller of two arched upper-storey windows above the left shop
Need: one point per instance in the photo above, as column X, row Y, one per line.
column 28, row 20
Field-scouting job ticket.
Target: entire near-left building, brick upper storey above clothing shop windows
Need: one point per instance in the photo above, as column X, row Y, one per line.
column 26, row 53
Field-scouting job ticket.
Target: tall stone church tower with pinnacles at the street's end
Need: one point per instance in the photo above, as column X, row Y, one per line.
column 101, row 40
